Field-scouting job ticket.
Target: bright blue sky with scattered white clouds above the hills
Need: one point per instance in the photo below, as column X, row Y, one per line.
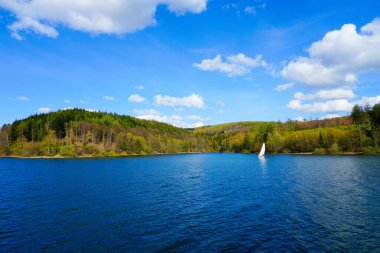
column 189, row 62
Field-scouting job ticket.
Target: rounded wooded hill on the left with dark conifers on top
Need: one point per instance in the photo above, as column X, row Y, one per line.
column 78, row 132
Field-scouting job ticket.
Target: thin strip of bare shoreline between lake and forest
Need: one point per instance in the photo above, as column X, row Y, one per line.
column 179, row 153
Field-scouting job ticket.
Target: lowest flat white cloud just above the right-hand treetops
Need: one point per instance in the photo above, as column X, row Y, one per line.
column 337, row 105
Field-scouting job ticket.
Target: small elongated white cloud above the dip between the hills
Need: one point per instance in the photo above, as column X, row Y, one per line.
column 194, row 100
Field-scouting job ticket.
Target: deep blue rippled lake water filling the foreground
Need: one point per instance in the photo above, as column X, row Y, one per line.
column 191, row 203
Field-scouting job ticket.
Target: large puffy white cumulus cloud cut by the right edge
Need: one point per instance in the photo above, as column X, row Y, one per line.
column 339, row 57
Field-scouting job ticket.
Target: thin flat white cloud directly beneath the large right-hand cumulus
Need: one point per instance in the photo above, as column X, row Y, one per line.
column 326, row 95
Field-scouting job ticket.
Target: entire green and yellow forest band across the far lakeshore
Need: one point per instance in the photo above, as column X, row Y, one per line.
column 81, row 133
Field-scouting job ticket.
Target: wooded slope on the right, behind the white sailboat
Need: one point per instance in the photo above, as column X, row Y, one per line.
column 358, row 133
